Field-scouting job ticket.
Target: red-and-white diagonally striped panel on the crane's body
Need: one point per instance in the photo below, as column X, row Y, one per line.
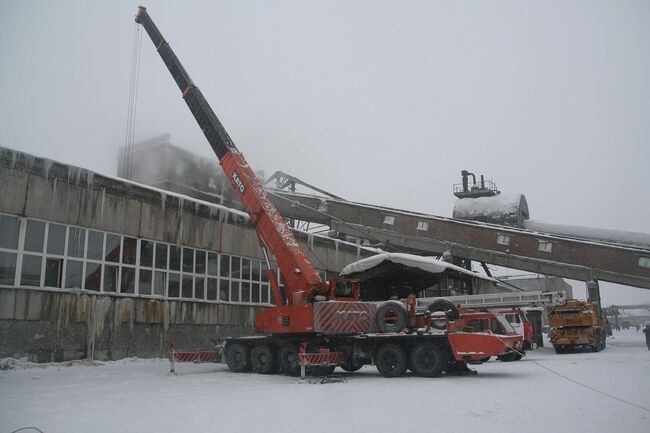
column 336, row 317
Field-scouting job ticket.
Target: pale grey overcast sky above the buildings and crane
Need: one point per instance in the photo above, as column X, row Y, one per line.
column 379, row 102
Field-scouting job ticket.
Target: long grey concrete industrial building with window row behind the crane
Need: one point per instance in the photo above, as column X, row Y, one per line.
column 101, row 267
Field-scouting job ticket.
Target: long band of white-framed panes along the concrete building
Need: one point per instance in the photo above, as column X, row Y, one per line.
column 35, row 253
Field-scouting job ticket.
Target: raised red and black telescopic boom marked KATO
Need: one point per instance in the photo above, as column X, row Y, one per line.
column 302, row 280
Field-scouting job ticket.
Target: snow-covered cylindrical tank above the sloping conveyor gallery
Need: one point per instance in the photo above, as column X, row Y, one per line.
column 504, row 209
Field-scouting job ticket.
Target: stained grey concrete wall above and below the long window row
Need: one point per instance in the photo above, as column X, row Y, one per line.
column 60, row 324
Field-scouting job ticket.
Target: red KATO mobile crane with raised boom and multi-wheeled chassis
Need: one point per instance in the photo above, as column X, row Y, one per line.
column 323, row 323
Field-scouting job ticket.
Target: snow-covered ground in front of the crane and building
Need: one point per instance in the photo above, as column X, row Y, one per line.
column 138, row 395
